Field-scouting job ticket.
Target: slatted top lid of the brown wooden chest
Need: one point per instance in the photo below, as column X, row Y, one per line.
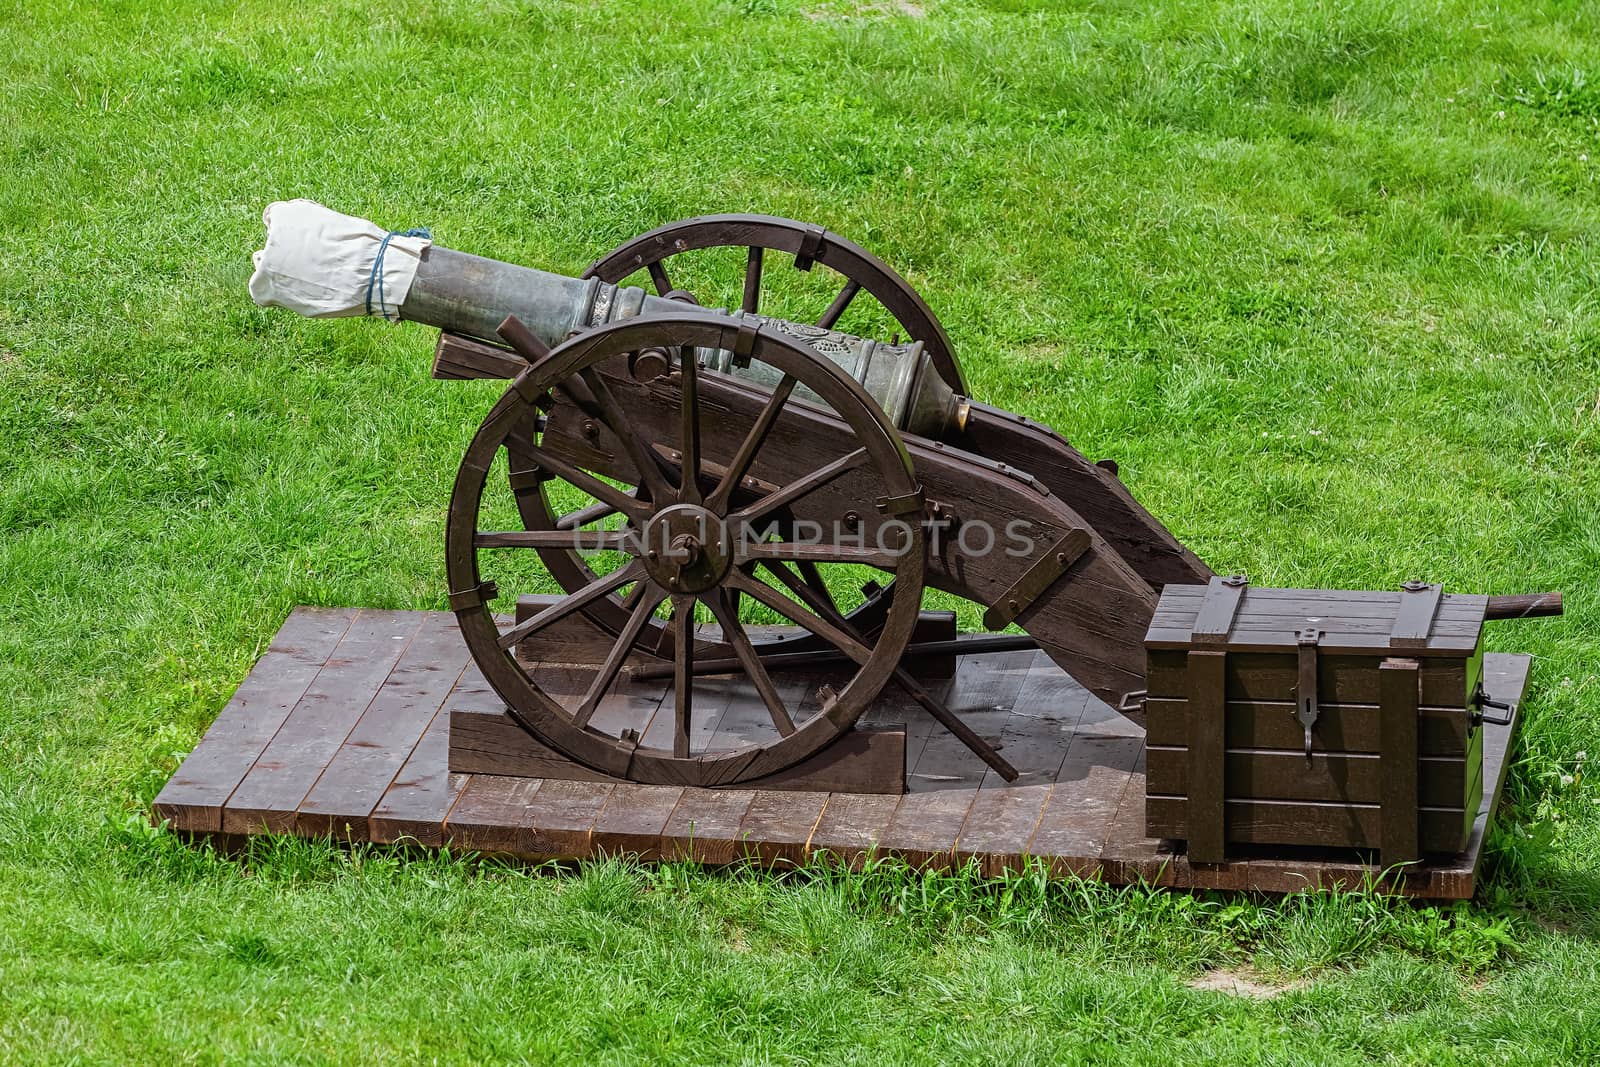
column 1231, row 615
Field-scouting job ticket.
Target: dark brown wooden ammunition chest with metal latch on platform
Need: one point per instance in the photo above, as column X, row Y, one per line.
column 1386, row 681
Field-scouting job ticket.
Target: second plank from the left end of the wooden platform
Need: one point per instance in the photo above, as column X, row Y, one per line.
column 322, row 719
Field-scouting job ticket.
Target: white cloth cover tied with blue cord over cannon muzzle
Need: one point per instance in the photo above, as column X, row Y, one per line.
column 324, row 265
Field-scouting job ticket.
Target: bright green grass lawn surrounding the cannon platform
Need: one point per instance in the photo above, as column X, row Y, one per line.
column 1321, row 276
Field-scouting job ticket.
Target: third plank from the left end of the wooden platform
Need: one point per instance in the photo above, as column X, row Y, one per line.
column 391, row 727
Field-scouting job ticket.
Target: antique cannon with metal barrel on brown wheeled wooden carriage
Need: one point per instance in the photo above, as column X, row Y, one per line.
column 655, row 457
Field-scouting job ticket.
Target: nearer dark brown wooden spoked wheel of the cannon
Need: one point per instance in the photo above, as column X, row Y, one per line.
column 694, row 532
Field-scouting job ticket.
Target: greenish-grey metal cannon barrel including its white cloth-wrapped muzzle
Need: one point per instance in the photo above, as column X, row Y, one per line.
column 326, row 265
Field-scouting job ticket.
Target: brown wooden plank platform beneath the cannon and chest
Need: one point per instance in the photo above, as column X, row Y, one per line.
column 342, row 730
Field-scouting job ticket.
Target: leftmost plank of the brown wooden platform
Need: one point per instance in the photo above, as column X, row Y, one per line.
column 194, row 797
